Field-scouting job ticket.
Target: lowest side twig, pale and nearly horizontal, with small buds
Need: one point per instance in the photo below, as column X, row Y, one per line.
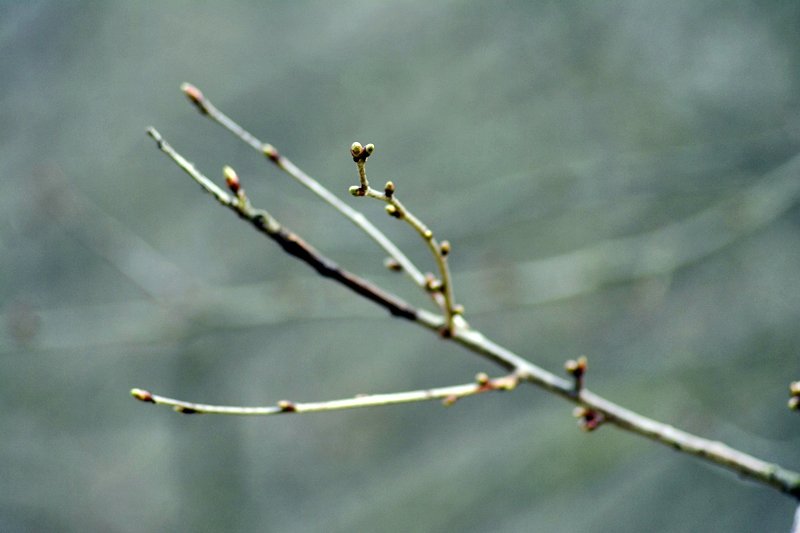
column 448, row 395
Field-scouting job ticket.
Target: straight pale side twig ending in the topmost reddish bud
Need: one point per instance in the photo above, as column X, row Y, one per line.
column 208, row 109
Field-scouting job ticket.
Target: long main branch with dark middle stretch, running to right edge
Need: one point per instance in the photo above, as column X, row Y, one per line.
column 770, row 474
